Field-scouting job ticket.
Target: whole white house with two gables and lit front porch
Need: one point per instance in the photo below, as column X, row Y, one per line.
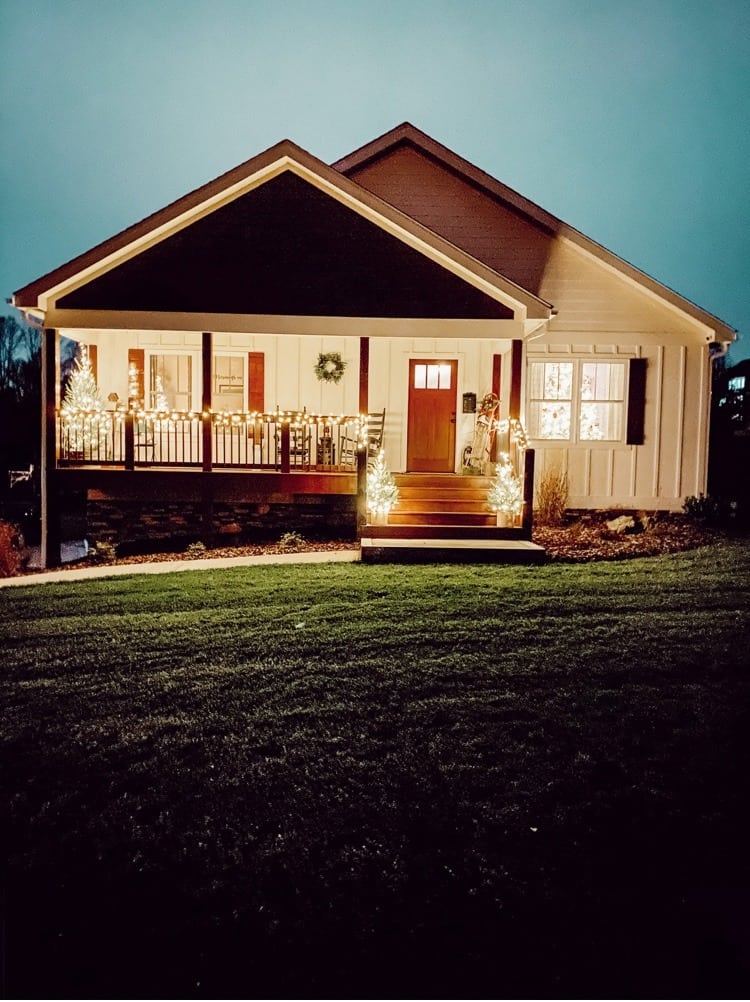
column 246, row 332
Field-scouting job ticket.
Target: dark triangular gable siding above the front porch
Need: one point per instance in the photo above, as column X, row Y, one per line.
column 286, row 249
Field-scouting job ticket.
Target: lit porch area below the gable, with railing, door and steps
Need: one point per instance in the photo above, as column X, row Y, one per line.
column 283, row 465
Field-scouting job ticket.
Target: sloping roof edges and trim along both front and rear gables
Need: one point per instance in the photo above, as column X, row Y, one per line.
column 338, row 182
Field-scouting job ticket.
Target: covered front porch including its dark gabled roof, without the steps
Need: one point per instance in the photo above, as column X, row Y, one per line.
column 245, row 336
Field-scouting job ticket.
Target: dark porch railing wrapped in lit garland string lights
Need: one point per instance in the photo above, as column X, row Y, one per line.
column 282, row 441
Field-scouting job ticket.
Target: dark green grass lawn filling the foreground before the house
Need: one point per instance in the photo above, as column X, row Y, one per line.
column 342, row 781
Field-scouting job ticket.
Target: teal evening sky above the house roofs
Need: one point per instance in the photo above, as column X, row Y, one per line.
column 630, row 121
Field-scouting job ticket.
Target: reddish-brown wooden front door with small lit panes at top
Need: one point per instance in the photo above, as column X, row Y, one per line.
column 431, row 444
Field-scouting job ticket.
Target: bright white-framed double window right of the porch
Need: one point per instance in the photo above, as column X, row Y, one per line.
column 581, row 401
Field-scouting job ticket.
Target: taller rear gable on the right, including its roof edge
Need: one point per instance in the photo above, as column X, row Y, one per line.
column 518, row 239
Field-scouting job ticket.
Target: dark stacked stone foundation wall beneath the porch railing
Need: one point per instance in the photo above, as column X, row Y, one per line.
column 139, row 524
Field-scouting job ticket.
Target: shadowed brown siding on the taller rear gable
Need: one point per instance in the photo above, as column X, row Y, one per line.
column 473, row 220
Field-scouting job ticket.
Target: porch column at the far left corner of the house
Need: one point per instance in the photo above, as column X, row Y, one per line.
column 51, row 492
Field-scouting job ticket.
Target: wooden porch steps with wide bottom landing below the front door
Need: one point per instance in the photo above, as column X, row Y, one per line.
column 445, row 519
